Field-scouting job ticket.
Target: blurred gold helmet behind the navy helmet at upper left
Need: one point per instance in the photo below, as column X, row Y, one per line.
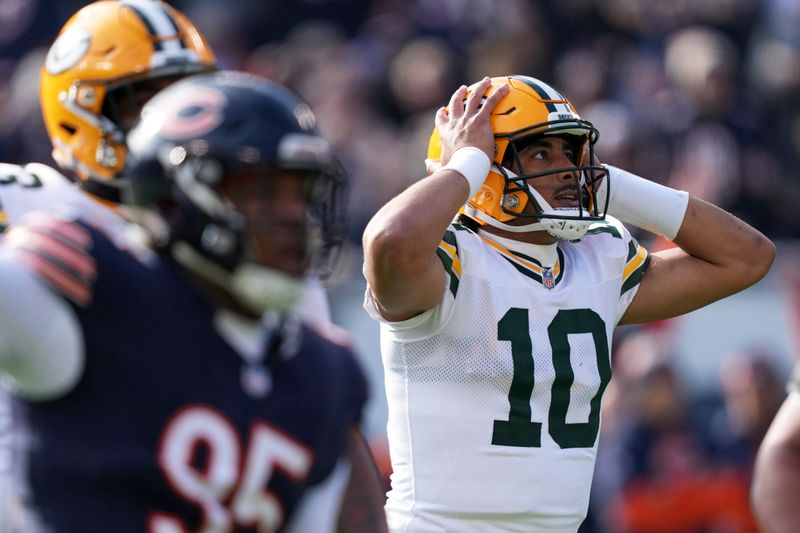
column 108, row 59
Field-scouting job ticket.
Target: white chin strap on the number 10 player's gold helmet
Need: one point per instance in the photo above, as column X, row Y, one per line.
column 564, row 229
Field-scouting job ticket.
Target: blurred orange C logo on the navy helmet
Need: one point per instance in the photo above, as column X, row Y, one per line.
column 193, row 113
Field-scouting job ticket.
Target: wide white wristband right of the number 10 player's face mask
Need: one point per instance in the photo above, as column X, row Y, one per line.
column 643, row 203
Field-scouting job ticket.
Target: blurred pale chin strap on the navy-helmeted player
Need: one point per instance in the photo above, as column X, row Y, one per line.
column 256, row 287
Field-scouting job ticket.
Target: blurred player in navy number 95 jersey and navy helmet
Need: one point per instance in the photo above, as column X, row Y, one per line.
column 169, row 385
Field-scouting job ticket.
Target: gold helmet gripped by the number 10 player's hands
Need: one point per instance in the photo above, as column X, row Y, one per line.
column 532, row 108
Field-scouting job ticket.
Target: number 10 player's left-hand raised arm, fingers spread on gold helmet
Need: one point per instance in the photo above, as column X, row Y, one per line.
column 400, row 241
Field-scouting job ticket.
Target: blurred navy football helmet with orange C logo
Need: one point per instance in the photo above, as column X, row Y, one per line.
column 210, row 134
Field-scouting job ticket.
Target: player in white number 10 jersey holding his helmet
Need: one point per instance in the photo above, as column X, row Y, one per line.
column 498, row 281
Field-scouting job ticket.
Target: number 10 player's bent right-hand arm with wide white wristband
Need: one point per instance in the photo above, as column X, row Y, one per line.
column 717, row 255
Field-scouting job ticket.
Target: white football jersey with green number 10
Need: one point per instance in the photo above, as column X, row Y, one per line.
column 494, row 395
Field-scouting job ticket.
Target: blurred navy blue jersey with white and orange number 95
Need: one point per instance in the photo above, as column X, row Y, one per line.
column 161, row 435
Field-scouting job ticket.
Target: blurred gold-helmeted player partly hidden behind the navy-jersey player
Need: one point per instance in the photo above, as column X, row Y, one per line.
column 107, row 60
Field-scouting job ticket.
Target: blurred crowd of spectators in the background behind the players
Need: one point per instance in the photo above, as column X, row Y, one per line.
column 701, row 95
